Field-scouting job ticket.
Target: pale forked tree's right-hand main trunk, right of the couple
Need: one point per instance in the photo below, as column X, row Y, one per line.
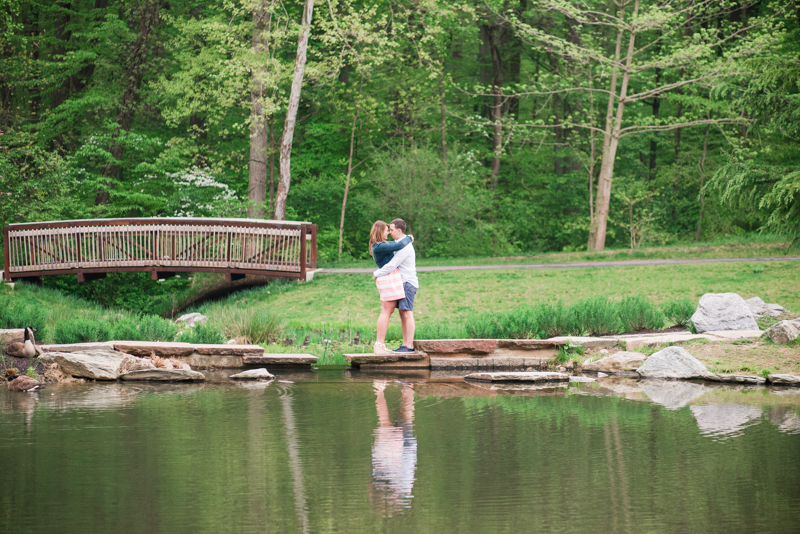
column 609, row 154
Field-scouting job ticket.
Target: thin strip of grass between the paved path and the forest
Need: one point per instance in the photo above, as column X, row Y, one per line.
column 728, row 247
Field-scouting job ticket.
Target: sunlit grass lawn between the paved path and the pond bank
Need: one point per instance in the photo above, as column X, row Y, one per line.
column 342, row 301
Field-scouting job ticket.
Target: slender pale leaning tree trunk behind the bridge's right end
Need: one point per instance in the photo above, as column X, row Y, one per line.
column 285, row 179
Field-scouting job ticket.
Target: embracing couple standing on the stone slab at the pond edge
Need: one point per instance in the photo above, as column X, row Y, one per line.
column 397, row 281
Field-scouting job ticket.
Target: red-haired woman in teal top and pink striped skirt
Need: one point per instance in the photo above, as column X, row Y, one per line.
column 390, row 286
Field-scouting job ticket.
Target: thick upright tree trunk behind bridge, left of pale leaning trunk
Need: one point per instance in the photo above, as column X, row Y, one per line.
column 259, row 134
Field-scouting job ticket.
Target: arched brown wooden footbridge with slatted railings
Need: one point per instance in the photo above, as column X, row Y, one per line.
column 162, row 246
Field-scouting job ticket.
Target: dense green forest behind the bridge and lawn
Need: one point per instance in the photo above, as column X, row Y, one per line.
column 492, row 127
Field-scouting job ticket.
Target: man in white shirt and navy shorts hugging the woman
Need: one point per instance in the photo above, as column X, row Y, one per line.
column 405, row 261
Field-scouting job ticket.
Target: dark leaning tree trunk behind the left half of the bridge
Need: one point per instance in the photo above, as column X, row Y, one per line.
column 137, row 57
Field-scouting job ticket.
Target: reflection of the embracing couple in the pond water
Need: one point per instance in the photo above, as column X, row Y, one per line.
column 394, row 454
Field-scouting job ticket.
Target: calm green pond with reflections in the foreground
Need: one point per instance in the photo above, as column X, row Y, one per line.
column 349, row 451
